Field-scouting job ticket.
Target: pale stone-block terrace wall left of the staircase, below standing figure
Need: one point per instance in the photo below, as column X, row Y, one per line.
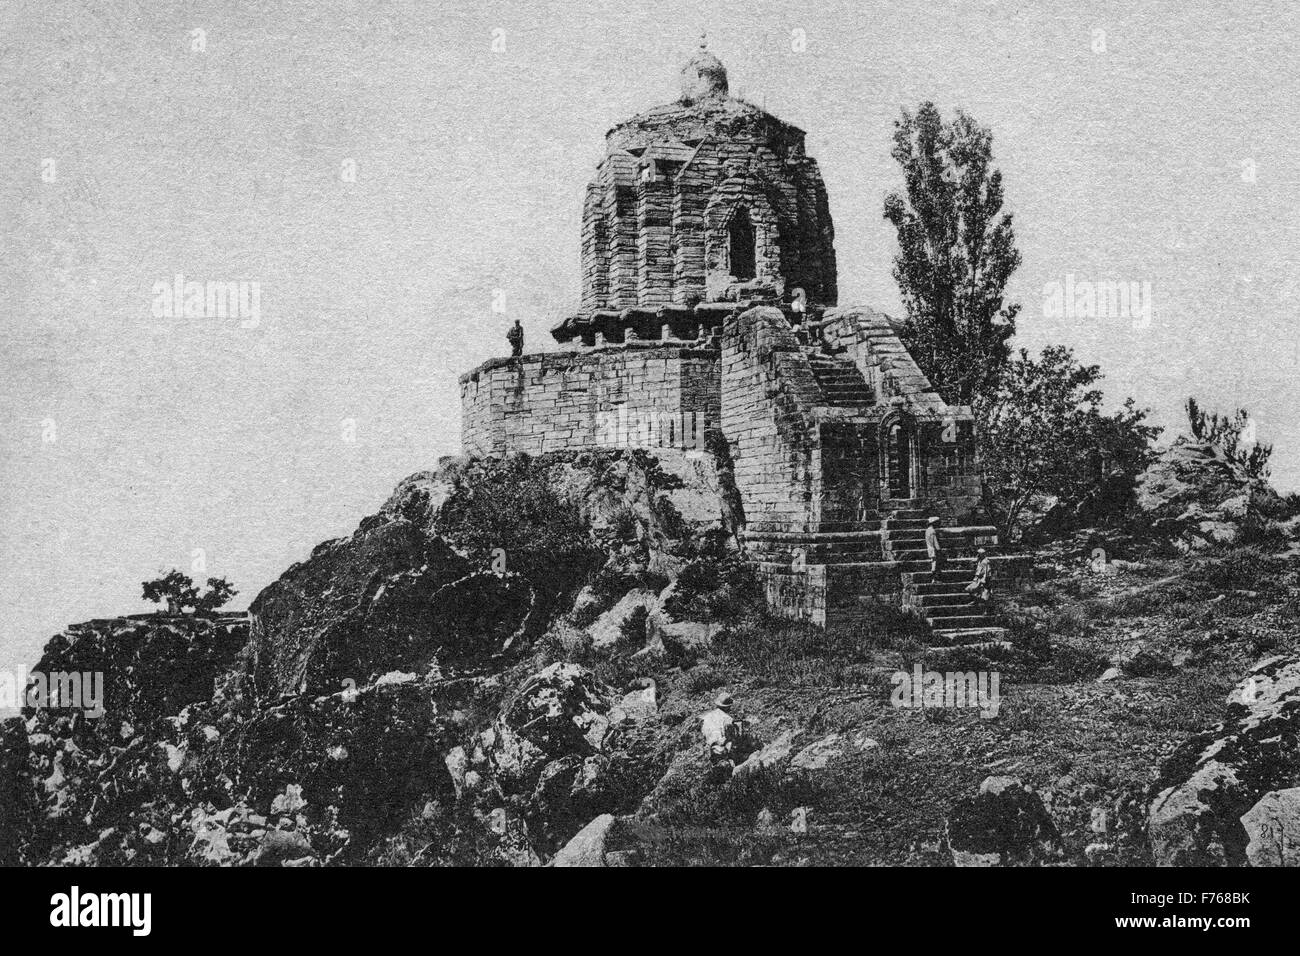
column 638, row 395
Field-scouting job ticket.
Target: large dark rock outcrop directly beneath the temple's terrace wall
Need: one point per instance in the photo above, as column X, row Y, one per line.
column 475, row 560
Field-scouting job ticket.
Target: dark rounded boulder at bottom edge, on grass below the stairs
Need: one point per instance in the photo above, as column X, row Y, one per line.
column 1006, row 824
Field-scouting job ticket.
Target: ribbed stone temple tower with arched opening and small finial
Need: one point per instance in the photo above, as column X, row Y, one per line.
column 708, row 202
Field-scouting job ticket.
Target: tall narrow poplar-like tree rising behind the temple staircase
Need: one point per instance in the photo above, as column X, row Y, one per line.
column 956, row 253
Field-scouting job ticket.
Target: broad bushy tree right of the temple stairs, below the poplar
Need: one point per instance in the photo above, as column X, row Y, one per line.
column 1043, row 432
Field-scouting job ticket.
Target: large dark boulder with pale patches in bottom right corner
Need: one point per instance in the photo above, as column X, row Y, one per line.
column 1212, row 781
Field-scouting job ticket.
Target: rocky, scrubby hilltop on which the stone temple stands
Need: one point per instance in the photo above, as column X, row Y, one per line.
column 508, row 664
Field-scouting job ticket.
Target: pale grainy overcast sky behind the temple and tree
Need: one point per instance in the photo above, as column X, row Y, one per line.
column 1141, row 142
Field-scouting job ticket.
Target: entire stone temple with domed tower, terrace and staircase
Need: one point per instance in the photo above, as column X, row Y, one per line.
column 710, row 318
